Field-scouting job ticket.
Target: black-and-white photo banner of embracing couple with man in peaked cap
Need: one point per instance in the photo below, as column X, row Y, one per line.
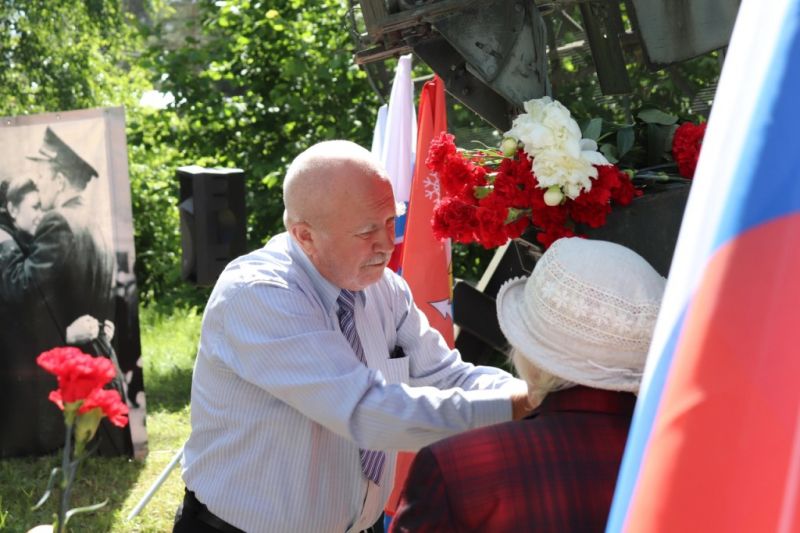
column 66, row 272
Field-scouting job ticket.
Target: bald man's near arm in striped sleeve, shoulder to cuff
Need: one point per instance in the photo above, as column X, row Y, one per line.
column 280, row 340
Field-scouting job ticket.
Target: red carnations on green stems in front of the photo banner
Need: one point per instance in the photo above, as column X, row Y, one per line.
column 82, row 395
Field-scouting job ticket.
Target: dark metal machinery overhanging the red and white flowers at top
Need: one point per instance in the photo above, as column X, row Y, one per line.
column 494, row 55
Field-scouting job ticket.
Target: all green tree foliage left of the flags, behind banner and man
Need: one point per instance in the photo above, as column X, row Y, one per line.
column 254, row 83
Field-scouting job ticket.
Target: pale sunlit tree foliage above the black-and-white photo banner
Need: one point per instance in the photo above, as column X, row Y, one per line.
column 65, row 55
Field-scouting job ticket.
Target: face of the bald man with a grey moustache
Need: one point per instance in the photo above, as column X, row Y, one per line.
column 353, row 245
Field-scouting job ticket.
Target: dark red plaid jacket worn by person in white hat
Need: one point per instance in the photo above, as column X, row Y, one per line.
column 554, row 471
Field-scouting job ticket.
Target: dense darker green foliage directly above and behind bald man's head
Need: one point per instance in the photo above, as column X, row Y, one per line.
column 259, row 83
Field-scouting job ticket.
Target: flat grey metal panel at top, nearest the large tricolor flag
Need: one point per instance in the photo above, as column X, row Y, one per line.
column 675, row 30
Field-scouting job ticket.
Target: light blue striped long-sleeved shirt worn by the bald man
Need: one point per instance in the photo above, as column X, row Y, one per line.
column 281, row 404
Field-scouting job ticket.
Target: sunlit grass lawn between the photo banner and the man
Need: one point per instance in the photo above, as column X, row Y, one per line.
column 168, row 349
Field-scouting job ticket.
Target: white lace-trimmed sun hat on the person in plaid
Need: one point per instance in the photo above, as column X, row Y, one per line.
column 586, row 314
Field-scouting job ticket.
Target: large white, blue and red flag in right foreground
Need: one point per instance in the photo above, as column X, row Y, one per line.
column 715, row 440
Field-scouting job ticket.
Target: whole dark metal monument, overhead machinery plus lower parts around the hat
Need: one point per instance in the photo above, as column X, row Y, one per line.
column 493, row 55
